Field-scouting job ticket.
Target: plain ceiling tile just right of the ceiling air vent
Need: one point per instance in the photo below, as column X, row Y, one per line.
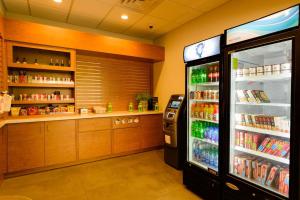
column 169, row 10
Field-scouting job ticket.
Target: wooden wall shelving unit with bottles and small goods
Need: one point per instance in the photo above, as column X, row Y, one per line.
column 44, row 55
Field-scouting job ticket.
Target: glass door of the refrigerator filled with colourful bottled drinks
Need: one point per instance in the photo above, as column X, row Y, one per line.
column 203, row 116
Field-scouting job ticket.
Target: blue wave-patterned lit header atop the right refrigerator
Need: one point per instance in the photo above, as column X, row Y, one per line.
column 279, row 21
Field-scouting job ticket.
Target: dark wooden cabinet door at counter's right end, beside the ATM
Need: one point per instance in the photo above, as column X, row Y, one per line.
column 152, row 131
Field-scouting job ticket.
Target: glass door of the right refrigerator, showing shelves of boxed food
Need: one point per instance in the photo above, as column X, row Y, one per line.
column 260, row 110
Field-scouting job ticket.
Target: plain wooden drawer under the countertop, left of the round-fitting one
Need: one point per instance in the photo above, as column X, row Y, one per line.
column 97, row 124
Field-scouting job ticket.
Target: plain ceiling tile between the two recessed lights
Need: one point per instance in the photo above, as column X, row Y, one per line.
column 89, row 12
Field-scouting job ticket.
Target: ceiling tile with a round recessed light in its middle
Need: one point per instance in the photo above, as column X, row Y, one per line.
column 113, row 21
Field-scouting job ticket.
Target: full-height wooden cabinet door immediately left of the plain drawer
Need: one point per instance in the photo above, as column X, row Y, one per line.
column 60, row 142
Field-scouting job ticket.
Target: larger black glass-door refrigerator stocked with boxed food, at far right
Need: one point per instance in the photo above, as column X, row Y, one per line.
column 262, row 69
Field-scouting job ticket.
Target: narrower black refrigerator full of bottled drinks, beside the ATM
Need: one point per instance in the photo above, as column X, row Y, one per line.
column 203, row 78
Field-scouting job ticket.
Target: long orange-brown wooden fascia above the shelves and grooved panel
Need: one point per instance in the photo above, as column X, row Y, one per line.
column 22, row 31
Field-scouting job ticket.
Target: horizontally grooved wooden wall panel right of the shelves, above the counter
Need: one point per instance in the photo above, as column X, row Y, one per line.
column 100, row 80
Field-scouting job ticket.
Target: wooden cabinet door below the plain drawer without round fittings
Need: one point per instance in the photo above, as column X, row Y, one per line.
column 93, row 144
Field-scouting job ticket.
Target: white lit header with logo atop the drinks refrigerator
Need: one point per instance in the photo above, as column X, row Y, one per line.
column 203, row 49
